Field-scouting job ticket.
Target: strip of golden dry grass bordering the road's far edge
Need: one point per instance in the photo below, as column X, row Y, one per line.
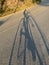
column 19, row 8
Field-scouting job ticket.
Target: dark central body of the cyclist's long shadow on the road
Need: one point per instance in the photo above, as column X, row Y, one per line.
column 29, row 43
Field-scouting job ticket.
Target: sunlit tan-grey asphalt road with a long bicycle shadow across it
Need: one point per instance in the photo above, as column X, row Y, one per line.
column 25, row 40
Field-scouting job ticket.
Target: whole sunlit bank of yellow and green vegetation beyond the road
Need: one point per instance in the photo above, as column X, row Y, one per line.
column 10, row 6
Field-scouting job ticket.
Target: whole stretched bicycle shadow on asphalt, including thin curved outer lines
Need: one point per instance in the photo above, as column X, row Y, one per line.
column 29, row 43
